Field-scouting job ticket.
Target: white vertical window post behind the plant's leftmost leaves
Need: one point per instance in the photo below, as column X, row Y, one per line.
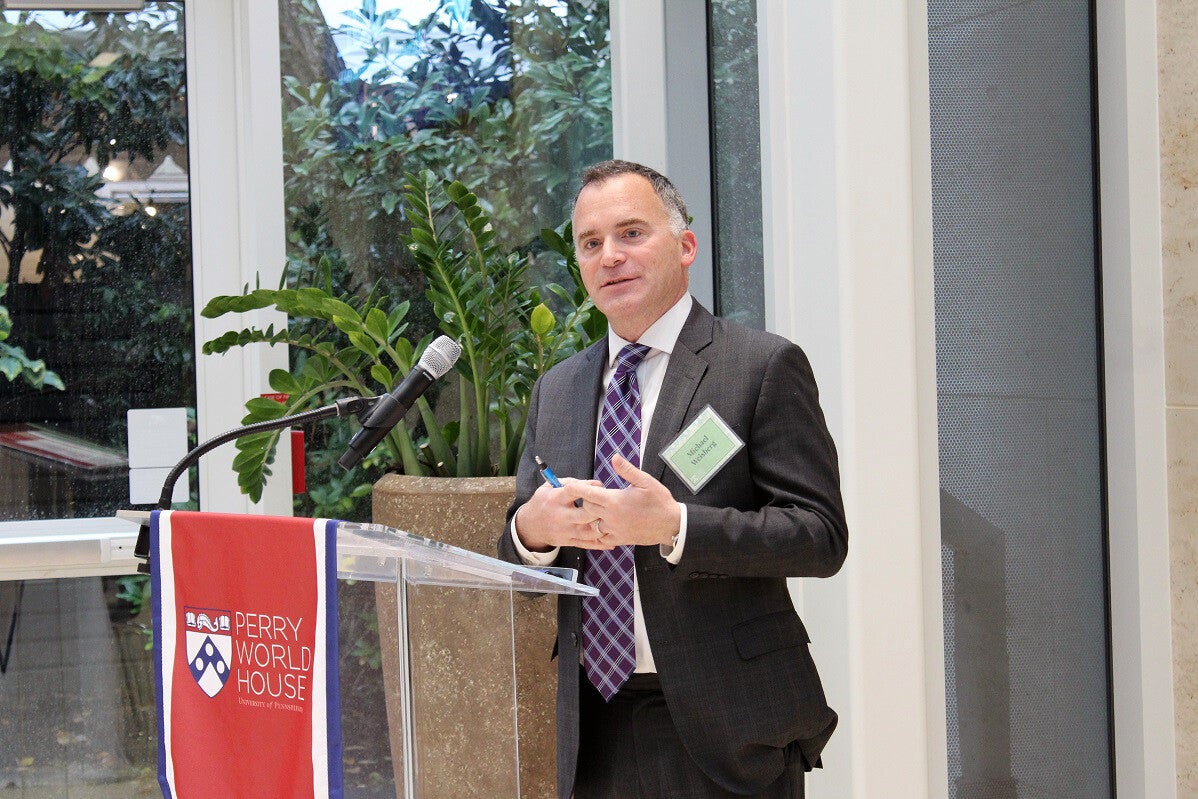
column 237, row 174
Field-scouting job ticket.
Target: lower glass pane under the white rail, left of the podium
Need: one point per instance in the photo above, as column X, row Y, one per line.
column 77, row 695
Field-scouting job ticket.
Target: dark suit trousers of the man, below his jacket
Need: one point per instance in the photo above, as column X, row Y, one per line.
column 628, row 749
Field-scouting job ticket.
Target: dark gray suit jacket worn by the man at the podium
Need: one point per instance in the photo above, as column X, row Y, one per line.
column 730, row 650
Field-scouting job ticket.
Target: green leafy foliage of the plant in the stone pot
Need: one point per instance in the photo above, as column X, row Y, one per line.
column 481, row 295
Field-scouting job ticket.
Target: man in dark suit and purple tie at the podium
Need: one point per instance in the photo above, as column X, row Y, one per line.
column 723, row 699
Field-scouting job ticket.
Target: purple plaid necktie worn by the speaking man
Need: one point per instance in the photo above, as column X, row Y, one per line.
column 609, row 651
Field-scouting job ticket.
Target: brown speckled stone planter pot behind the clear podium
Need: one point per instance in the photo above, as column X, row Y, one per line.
column 455, row 650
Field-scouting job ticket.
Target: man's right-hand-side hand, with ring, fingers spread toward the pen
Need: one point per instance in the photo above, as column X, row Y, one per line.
column 645, row 513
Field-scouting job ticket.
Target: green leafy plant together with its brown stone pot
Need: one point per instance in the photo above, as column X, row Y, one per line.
column 459, row 458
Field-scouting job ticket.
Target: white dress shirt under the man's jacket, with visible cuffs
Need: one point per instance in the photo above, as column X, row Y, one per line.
column 661, row 338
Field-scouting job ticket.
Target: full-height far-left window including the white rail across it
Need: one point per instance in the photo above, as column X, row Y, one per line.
column 95, row 255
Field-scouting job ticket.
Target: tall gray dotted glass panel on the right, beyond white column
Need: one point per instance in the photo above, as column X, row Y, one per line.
column 1019, row 399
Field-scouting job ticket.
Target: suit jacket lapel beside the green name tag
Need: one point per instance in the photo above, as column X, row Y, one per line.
column 682, row 379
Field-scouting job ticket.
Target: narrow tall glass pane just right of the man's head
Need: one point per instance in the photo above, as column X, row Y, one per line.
column 736, row 144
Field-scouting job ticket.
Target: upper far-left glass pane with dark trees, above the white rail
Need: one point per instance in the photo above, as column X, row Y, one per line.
column 95, row 251
